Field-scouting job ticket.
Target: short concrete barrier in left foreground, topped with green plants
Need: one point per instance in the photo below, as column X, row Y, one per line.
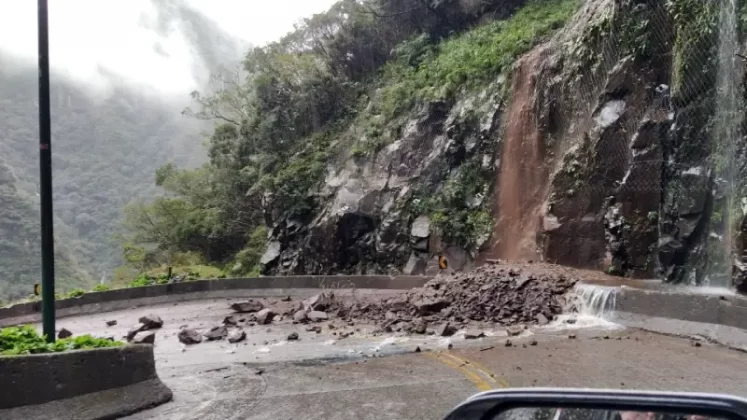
column 81, row 384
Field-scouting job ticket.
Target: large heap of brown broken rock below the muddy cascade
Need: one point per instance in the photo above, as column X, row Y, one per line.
column 493, row 293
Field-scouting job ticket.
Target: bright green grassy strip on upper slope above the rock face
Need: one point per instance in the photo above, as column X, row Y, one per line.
column 462, row 63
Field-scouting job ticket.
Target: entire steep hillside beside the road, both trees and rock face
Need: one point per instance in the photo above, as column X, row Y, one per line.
column 602, row 134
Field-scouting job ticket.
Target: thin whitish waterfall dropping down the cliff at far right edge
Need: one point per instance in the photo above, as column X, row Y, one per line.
column 727, row 133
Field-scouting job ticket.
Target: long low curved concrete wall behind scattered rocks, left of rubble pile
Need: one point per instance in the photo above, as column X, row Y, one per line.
column 112, row 300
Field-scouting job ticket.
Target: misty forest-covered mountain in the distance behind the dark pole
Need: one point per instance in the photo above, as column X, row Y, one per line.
column 107, row 145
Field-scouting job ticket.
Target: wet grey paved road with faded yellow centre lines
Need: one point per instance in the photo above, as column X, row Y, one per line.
column 367, row 377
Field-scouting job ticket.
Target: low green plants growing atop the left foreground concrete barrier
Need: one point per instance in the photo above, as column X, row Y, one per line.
column 25, row 340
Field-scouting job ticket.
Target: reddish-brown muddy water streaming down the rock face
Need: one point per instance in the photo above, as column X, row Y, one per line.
column 523, row 176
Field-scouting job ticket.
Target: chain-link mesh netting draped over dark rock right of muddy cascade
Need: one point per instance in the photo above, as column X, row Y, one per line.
column 662, row 161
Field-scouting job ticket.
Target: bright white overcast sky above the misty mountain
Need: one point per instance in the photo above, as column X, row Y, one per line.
column 89, row 38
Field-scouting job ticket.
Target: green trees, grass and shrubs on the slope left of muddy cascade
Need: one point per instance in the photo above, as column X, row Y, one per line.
column 344, row 80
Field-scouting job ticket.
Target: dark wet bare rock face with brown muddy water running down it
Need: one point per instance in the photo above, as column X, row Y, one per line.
column 601, row 155
